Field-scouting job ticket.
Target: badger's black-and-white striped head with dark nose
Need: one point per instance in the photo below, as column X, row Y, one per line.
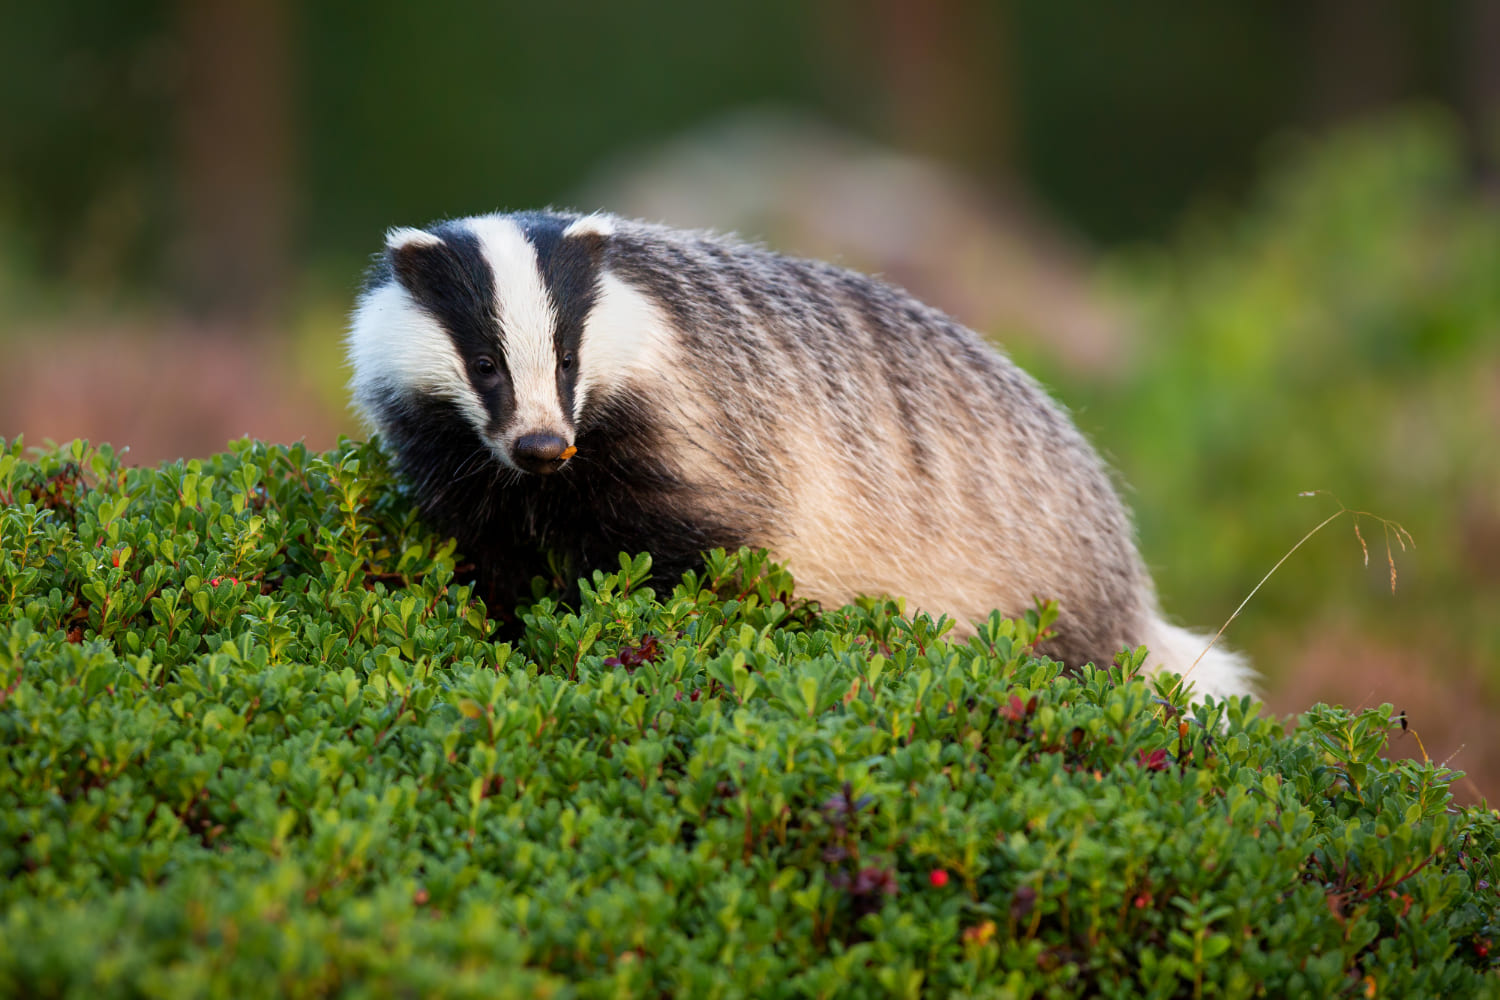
column 509, row 325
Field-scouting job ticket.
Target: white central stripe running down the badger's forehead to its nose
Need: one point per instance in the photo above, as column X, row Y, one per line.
column 527, row 322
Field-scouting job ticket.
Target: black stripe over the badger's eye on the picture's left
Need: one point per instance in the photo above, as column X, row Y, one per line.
column 455, row 286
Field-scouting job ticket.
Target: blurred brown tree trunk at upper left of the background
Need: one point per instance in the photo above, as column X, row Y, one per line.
column 233, row 179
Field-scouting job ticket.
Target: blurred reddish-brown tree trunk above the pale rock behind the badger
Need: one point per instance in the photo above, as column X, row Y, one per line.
column 941, row 73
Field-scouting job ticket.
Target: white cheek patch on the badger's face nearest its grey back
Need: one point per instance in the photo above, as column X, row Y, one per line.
column 623, row 332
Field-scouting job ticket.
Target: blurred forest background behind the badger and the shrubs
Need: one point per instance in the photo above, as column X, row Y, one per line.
column 1253, row 245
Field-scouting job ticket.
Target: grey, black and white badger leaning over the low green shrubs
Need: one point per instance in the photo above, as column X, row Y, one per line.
column 586, row 385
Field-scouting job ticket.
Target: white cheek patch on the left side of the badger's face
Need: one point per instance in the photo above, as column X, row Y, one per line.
column 391, row 337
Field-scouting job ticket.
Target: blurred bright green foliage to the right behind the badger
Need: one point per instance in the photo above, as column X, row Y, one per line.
column 1342, row 335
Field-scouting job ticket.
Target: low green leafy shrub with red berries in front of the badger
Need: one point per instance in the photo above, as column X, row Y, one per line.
column 256, row 741
